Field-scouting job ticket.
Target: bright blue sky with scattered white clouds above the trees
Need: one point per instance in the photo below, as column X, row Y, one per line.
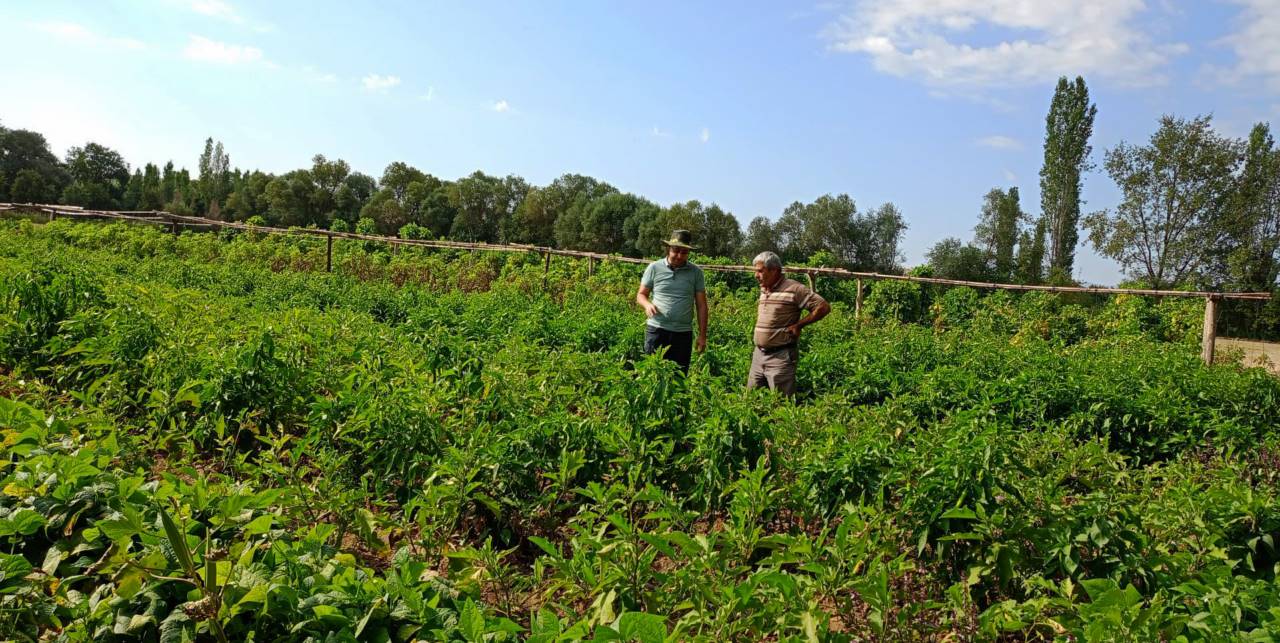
column 752, row 106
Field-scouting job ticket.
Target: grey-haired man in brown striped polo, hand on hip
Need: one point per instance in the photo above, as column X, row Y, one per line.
column 779, row 323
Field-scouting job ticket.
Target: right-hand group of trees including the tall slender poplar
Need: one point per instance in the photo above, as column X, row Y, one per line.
column 1199, row 209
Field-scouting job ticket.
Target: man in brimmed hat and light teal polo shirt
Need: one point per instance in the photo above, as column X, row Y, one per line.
column 670, row 291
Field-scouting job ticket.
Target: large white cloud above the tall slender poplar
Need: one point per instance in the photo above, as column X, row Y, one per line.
column 947, row 43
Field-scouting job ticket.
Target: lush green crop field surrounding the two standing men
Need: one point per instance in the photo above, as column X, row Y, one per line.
column 211, row 439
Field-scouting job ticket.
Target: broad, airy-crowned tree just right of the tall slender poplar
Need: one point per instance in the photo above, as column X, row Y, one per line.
column 1176, row 191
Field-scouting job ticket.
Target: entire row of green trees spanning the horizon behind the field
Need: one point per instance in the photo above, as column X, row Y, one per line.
column 1199, row 209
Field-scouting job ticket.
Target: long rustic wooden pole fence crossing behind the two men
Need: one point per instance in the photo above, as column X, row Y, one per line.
column 177, row 222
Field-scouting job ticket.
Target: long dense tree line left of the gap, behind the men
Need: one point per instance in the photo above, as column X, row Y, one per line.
column 574, row 212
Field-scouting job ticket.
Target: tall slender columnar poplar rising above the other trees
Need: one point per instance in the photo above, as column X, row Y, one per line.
column 1067, row 156
